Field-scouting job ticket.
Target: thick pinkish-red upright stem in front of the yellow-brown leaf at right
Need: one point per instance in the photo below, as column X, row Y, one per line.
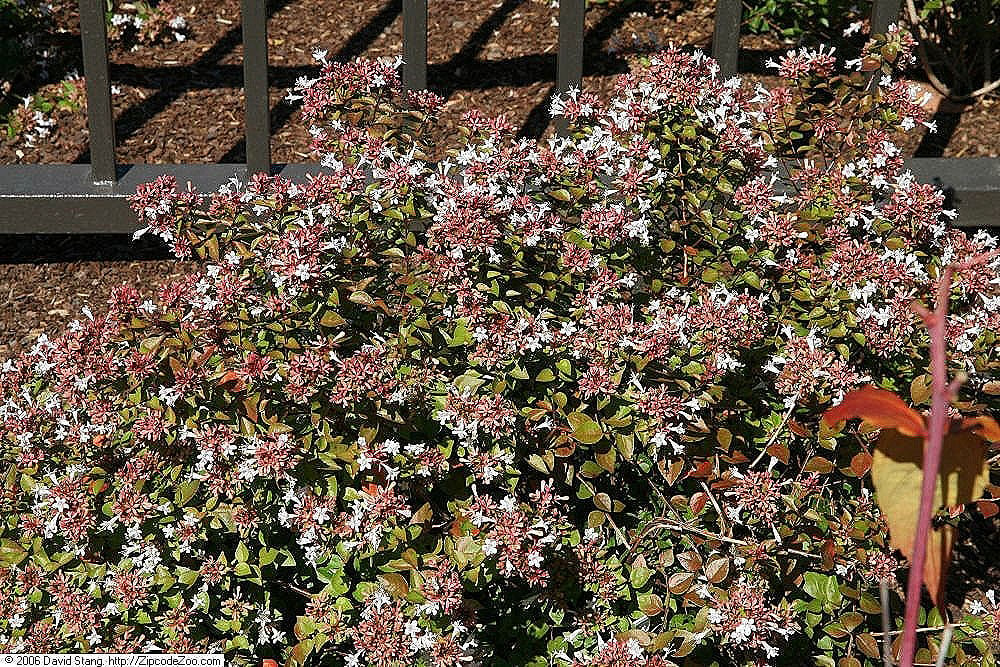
column 941, row 391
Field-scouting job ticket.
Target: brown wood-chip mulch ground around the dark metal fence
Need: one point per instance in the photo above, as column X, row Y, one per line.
column 182, row 102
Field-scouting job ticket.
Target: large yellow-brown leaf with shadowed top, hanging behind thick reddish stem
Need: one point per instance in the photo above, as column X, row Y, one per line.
column 897, row 473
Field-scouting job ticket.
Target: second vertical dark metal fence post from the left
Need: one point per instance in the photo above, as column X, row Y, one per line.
column 258, row 105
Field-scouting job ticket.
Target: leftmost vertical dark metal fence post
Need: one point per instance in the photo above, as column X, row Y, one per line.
column 100, row 120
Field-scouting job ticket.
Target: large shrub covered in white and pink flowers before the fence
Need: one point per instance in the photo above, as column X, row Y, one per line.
column 526, row 405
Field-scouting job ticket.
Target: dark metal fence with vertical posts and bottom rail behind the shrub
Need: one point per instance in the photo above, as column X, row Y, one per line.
column 80, row 198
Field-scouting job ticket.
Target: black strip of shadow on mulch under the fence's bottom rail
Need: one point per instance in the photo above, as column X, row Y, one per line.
column 57, row 248
